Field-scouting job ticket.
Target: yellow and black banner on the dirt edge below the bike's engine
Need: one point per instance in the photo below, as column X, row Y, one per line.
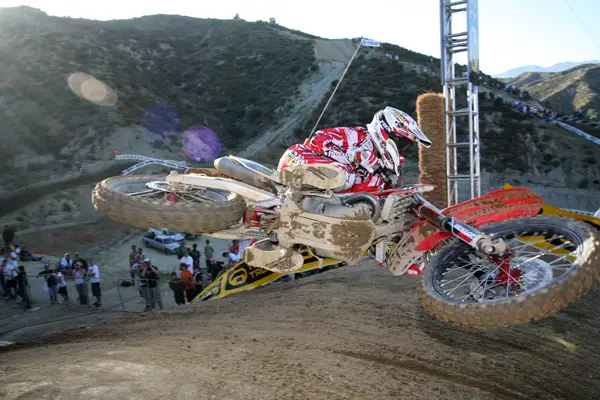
column 242, row 277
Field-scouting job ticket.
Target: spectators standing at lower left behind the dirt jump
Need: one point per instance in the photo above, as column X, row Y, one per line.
column 193, row 271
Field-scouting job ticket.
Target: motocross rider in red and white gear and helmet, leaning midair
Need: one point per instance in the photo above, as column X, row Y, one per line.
column 367, row 158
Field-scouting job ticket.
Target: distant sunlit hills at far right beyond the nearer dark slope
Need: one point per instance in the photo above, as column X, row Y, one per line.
column 567, row 91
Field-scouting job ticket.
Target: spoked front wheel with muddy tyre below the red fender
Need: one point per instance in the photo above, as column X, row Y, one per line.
column 554, row 262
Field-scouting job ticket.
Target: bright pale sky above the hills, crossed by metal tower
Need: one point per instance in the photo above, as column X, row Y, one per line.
column 512, row 33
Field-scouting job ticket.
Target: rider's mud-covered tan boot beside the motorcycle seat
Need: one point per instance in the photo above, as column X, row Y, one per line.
column 316, row 176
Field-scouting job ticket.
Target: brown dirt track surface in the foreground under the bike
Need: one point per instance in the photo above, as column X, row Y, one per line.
column 350, row 333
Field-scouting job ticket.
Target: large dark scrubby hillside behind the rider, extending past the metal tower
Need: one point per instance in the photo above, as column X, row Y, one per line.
column 75, row 90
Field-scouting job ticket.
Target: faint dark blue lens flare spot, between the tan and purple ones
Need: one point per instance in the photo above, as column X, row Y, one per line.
column 161, row 122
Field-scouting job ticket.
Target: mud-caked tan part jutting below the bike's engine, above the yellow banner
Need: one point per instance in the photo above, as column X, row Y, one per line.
column 264, row 254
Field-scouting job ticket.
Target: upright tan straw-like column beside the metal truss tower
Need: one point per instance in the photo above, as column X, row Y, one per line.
column 432, row 161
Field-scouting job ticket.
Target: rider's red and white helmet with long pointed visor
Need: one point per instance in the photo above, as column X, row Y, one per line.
column 388, row 127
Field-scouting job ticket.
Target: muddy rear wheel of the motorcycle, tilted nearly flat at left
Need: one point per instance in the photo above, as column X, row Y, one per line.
column 148, row 201
